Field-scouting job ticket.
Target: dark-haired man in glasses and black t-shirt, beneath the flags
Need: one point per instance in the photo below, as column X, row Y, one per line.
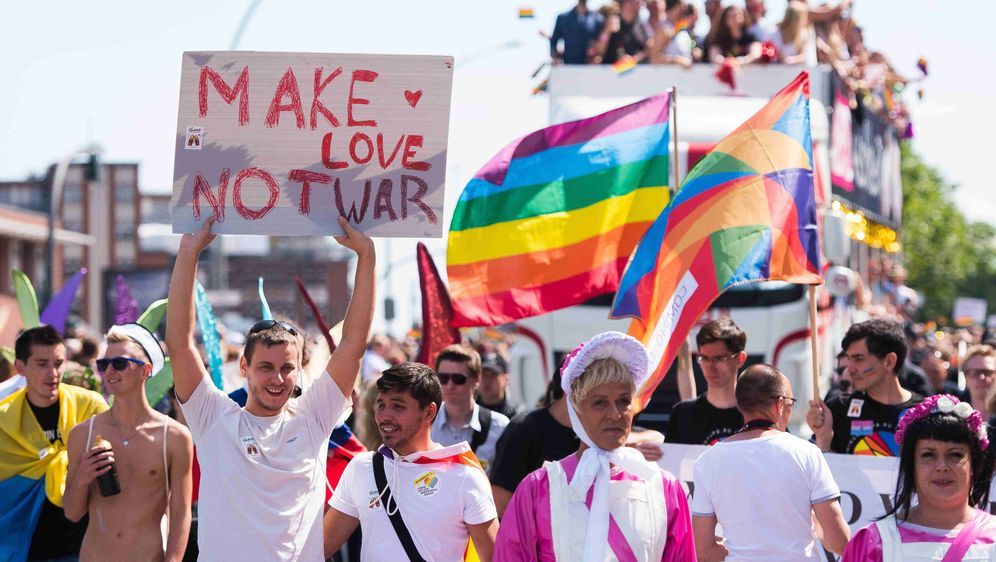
column 713, row 415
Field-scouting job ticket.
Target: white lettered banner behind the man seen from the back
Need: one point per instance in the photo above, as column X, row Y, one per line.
column 867, row 483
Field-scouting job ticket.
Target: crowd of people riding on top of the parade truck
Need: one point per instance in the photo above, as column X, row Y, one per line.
column 667, row 32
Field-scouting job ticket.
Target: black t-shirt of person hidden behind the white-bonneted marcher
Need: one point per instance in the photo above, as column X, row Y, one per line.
column 530, row 438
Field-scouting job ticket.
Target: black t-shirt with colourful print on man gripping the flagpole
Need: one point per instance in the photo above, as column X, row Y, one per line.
column 863, row 426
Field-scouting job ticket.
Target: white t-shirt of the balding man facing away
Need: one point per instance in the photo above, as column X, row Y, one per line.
column 762, row 491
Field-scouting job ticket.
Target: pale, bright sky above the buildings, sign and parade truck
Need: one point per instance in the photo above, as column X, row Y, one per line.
column 109, row 72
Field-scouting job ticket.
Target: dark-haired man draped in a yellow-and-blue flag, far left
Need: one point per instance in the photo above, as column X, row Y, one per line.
column 35, row 422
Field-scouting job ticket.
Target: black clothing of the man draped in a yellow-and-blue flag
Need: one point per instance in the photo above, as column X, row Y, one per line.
column 54, row 535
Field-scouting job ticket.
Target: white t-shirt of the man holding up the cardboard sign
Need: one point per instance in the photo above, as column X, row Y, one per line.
column 262, row 478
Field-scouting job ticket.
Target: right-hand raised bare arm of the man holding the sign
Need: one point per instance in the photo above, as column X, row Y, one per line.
column 344, row 365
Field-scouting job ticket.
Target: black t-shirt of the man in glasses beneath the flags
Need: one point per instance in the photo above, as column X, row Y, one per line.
column 697, row 422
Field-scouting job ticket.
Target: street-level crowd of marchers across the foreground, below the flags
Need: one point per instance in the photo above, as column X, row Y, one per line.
column 444, row 465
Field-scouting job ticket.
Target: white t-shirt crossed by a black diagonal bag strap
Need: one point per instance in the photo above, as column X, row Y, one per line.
column 437, row 501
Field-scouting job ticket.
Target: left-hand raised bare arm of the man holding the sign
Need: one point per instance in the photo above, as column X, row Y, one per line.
column 188, row 368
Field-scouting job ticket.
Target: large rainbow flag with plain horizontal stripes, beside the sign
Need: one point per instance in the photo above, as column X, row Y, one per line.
column 550, row 221
